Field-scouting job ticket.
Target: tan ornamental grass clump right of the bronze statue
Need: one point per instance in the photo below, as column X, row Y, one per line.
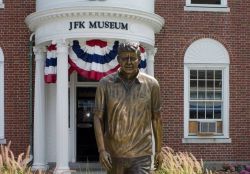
column 181, row 163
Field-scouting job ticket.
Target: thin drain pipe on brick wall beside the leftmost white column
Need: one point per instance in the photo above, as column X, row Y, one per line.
column 31, row 44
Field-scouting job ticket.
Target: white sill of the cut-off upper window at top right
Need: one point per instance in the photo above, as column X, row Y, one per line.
column 209, row 9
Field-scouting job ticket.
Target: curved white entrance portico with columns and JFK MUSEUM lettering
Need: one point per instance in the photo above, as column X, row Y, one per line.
column 61, row 22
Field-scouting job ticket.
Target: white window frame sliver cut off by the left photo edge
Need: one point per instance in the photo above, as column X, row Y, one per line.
column 2, row 136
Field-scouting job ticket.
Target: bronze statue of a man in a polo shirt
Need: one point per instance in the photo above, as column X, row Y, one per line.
column 127, row 104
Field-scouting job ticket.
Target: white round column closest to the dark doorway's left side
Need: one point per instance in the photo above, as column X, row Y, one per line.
column 62, row 134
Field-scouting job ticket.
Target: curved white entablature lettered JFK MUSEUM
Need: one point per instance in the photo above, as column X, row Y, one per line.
column 54, row 23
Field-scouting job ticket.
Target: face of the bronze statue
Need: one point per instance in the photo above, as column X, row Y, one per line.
column 129, row 62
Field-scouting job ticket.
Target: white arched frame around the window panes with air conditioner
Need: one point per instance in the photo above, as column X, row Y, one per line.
column 200, row 60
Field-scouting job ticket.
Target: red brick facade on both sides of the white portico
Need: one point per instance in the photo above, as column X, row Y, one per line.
column 181, row 28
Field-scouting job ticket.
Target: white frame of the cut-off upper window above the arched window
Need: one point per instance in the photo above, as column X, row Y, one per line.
column 223, row 7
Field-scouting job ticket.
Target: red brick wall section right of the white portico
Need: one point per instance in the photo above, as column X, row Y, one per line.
column 233, row 31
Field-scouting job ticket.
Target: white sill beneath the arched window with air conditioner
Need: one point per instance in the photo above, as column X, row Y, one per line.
column 206, row 140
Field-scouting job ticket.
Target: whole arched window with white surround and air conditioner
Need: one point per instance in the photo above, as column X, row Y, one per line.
column 206, row 92
